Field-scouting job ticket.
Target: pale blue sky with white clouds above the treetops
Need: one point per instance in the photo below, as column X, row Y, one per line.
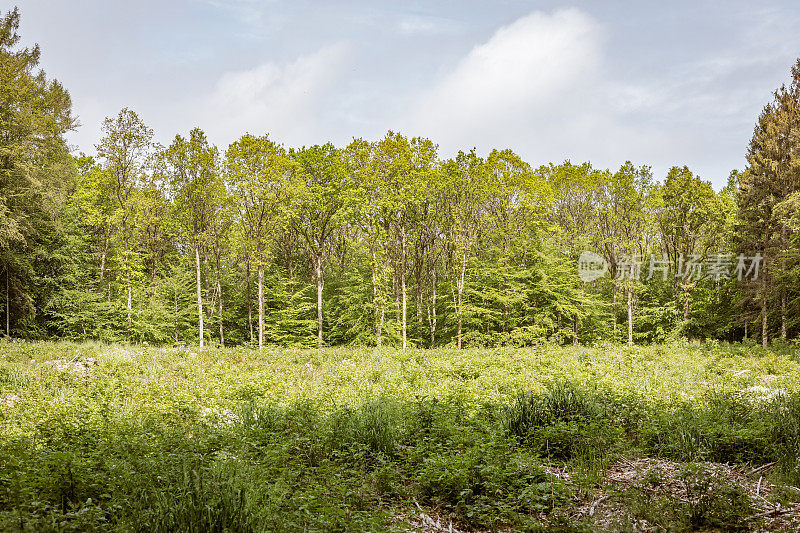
column 656, row 83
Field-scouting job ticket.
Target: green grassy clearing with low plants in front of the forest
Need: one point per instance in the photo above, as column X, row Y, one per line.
column 139, row 438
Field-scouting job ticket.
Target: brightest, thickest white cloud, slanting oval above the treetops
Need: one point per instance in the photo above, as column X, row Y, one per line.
column 519, row 73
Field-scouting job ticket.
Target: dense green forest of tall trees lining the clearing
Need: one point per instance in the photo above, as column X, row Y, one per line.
column 380, row 242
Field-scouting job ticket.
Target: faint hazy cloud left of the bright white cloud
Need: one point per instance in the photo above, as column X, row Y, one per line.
column 283, row 99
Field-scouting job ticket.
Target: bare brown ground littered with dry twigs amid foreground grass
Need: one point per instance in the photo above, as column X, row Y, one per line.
column 648, row 495
